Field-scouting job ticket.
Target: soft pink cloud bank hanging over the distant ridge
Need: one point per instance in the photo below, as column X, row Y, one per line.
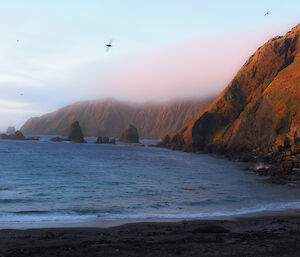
column 198, row 67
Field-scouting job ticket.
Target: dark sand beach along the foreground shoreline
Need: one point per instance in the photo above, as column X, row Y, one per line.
column 266, row 235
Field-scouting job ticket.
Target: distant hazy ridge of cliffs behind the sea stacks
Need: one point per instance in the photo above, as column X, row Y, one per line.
column 110, row 117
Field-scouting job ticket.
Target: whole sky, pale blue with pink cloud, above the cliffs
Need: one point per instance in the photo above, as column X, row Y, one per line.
column 52, row 53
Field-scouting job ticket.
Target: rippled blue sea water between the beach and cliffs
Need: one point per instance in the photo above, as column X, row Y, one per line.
column 45, row 182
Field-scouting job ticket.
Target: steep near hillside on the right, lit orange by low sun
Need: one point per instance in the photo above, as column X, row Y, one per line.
column 258, row 109
